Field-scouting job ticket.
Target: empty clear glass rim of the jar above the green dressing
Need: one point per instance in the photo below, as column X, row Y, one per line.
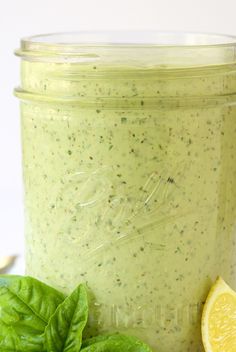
column 140, row 48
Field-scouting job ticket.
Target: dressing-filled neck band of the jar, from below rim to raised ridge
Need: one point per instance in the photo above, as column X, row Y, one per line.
column 124, row 86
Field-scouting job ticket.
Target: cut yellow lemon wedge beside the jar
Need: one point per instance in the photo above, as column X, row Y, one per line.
column 219, row 319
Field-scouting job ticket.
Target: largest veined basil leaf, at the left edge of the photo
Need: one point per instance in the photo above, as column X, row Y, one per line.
column 25, row 308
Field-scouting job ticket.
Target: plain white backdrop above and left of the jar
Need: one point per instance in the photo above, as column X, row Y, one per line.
column 20, row 18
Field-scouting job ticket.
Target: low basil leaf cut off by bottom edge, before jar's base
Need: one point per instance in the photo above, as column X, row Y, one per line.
column 114, row 343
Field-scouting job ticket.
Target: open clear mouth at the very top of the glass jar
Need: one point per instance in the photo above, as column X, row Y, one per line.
column 129, row 38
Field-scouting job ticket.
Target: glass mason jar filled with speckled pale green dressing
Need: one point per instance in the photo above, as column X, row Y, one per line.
column 129, row 147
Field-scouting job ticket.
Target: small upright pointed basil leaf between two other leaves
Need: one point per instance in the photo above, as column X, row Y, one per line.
column 65, row 327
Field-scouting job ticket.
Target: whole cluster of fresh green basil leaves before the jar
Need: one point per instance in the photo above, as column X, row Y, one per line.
column 35, row 317
